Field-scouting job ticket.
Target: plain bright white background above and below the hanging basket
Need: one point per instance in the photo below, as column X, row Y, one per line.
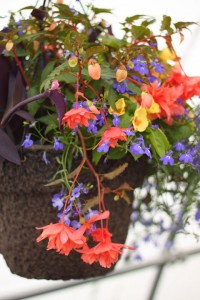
column 179, row 10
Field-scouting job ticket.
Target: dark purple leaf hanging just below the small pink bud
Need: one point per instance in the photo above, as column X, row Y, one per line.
column 59, row 102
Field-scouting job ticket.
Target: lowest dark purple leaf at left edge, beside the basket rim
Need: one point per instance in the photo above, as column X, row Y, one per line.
column 8, row 150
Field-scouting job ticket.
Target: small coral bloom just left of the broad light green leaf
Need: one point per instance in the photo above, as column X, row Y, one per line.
column 113, row 135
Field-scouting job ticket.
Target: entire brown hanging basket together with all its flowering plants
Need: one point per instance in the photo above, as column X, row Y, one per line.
column 85, row 119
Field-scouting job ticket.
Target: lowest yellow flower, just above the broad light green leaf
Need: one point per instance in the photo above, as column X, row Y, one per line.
column 140, row 121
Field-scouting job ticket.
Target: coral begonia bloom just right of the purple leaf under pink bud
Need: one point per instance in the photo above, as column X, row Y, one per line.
column 78, row 116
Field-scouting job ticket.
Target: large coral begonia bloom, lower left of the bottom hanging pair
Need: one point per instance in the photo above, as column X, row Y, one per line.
column 62, row 238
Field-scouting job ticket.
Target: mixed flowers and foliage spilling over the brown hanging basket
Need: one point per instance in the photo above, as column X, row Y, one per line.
column 103, row 99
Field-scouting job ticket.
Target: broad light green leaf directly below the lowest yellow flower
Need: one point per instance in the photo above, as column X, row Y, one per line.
column 158, row 141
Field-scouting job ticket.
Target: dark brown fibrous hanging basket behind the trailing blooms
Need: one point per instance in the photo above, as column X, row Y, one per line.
column 25, row 203
